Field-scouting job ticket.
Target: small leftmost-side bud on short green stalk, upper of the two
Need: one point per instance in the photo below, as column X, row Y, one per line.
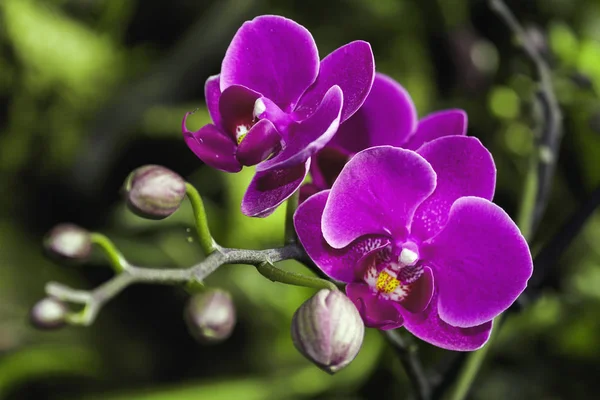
column 69, row 242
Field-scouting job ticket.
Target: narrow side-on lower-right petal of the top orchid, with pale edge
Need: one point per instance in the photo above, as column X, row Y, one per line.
column 309, row 136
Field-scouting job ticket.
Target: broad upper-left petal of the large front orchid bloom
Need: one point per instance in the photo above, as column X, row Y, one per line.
column 376, row 193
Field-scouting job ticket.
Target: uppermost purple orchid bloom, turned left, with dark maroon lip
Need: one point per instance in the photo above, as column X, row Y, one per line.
column 274, row 105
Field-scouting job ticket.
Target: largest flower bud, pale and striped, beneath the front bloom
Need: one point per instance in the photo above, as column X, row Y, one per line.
column 328, row 330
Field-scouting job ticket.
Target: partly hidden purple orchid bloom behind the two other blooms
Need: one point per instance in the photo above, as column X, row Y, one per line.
column 387, row 117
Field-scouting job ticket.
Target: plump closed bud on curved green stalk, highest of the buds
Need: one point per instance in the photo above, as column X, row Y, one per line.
column 154, row 192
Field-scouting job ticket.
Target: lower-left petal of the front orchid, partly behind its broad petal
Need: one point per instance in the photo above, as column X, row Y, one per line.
column 338, row 264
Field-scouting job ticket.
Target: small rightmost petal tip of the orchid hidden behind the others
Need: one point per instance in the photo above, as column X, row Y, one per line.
column 436, row 125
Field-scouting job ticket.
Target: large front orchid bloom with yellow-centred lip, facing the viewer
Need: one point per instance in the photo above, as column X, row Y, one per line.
column 418, row 241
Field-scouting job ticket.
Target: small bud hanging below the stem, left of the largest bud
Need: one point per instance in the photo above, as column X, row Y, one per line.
column 210, row 316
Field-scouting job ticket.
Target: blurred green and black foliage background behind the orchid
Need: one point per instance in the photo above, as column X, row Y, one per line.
column 90, row 89
